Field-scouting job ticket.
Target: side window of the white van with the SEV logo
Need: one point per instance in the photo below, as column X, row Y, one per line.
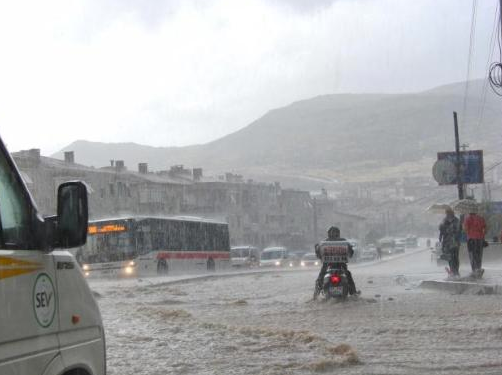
column 14, row 212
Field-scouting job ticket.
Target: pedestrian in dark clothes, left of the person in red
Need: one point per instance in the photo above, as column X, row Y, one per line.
column 449, row 236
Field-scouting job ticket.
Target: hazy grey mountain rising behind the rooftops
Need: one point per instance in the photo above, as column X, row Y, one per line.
column 332, row 137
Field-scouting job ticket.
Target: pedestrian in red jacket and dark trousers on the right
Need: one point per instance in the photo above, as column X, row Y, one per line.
column 475, row 228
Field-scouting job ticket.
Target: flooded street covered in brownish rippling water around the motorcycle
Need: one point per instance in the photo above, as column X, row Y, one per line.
column 267, row 323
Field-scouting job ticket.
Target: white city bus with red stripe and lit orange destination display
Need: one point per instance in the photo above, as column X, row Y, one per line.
column 143, row 246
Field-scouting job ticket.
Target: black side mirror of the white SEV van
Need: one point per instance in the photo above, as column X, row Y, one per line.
column 72, row 214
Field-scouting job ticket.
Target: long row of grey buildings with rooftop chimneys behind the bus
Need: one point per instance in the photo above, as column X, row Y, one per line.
column 257, row 213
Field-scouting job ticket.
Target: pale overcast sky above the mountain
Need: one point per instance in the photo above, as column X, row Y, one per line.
column 171, row 73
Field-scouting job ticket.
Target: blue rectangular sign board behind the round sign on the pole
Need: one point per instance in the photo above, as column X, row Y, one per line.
column 471, row 165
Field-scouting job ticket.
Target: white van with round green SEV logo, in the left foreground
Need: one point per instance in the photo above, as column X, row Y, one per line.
column 49, row 321
